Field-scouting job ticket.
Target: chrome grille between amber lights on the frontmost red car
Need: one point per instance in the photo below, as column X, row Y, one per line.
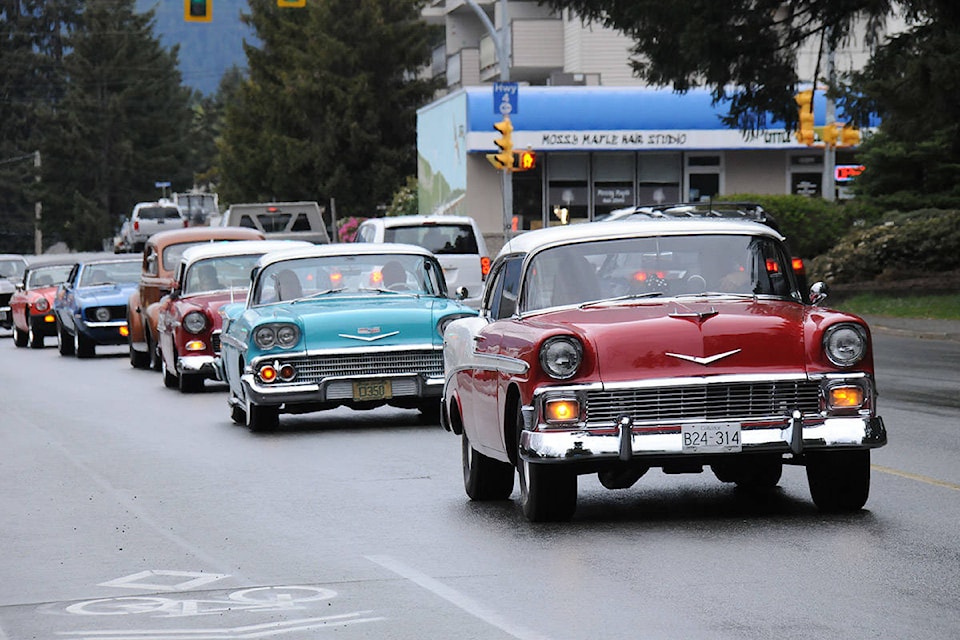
column 726, row 401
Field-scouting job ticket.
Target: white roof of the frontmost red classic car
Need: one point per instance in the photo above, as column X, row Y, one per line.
column 537, row 239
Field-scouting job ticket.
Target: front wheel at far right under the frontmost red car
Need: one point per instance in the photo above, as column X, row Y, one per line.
column 839, row 480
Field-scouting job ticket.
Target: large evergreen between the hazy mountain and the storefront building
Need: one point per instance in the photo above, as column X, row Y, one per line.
column 329, row 110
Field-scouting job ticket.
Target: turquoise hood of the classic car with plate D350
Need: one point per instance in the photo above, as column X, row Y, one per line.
column 367, row 322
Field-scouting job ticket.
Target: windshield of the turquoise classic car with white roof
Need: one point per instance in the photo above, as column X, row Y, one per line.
column 369, row 274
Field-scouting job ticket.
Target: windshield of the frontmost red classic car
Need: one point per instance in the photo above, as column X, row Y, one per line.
column 643, row 267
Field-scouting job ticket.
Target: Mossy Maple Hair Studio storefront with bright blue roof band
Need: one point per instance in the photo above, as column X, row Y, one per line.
column 603, row 148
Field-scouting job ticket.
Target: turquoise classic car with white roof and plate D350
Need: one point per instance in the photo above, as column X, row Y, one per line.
column 343, row 324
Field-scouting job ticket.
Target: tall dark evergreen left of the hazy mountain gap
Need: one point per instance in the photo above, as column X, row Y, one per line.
column 122, row 126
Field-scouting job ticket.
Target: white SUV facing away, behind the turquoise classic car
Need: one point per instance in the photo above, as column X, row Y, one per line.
column 455, row 240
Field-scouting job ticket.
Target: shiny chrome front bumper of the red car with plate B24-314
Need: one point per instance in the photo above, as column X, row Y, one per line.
column 791, row 437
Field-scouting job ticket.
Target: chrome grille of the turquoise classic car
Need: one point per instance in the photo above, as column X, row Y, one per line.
column 316, row 368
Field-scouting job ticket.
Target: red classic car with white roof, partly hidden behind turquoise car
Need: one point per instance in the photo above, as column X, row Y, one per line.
column 189, row 320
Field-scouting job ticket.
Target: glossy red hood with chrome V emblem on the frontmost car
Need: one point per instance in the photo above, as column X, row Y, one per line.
column 681, row 338
